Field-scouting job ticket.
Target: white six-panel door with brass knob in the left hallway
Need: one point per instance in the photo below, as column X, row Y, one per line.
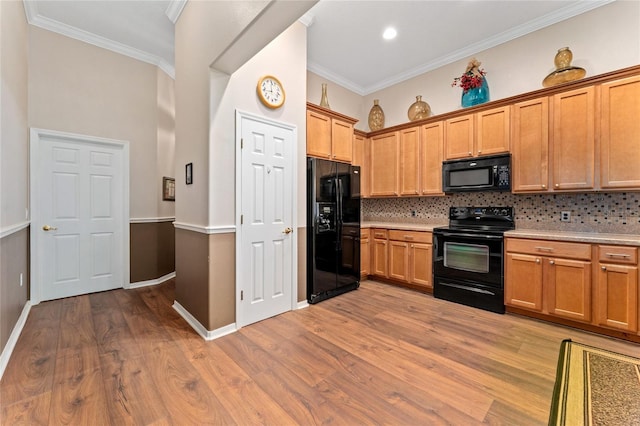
column 79, row 210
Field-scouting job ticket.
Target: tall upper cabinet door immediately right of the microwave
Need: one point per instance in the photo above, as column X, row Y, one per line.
column 530, row 145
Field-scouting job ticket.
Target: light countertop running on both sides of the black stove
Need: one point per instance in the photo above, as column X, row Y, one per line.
column 571, row 236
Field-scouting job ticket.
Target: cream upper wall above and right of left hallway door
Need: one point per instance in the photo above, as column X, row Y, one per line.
column 80, row 88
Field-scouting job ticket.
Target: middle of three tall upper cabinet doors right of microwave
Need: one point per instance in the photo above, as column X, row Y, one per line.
column 573, row 141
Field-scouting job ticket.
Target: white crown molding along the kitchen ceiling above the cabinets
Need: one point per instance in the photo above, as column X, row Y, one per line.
column 473, row 49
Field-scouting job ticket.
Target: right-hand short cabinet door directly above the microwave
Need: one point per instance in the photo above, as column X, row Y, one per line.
column 493, row 133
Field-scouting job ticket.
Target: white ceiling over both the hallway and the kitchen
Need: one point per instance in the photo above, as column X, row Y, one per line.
column 345, row 42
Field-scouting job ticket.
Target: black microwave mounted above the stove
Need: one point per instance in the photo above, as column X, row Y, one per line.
column 490, row 173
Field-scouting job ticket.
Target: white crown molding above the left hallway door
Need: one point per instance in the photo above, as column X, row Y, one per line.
column 35, row 19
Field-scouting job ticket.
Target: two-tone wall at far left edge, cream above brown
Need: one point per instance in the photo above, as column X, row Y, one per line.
column 14, row 143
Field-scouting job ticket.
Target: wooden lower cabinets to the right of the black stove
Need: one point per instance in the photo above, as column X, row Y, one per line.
column 595, row 285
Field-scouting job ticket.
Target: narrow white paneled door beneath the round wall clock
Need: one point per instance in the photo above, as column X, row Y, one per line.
column 265, row 265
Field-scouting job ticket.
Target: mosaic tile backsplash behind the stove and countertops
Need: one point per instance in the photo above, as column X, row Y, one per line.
column 612, row 212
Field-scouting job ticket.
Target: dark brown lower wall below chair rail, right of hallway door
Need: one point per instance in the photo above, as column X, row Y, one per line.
column 152, row 250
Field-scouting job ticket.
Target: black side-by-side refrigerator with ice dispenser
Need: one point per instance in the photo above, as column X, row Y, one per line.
column 333, row 228
